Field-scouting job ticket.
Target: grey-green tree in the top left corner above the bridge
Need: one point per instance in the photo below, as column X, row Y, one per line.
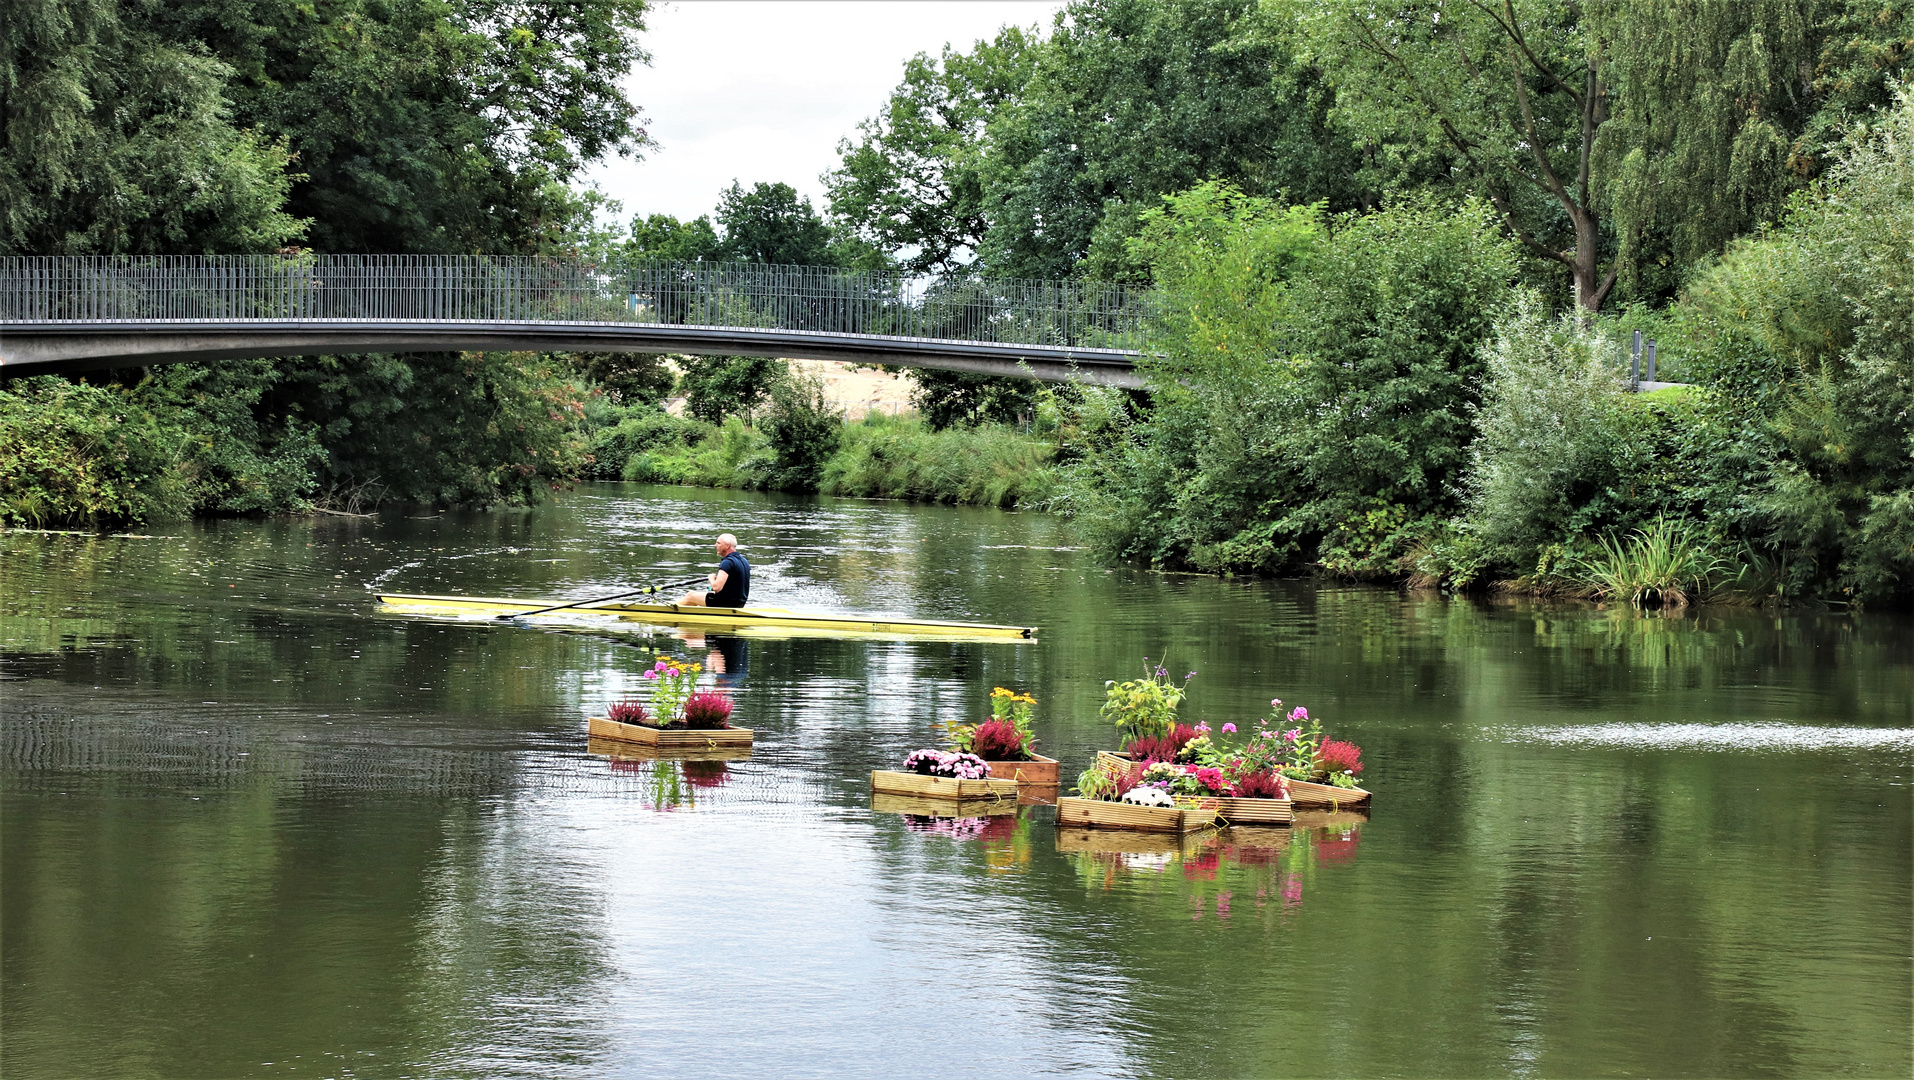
column 120, row 139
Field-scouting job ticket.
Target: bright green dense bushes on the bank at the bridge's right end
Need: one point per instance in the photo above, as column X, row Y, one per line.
column 1316, row 388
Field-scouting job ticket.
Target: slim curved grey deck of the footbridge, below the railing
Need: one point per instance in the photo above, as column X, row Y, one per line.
column 70, row 348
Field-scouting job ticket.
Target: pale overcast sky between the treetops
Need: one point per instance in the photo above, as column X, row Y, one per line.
column 763, row 91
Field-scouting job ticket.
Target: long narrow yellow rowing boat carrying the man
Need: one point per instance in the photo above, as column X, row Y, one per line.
column 753, row 621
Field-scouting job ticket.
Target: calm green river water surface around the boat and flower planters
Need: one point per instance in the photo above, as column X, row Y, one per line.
column 256, row 828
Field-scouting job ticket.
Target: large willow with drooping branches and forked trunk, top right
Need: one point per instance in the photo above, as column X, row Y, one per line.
column 1593, row 129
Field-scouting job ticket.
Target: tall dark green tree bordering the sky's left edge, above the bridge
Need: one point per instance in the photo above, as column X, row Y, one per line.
column 430, row 127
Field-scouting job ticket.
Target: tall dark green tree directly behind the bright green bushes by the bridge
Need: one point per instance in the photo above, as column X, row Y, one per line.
column 1140, row 99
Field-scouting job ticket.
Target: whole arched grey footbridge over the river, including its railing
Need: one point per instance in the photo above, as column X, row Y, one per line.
column 62, row 315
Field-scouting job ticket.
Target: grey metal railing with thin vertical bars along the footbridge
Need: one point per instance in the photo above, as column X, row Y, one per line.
column 456, row 288
